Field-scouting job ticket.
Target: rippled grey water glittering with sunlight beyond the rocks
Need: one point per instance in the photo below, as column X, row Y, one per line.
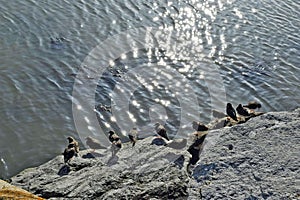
column 253, row 45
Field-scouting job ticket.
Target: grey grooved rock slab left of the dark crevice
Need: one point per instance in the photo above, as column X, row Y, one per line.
column 142, row 172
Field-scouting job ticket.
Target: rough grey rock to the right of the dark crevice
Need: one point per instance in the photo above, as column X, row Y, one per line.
column 255, row 160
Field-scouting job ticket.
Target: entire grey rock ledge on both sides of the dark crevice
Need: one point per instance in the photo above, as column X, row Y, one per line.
column 255, row 160
